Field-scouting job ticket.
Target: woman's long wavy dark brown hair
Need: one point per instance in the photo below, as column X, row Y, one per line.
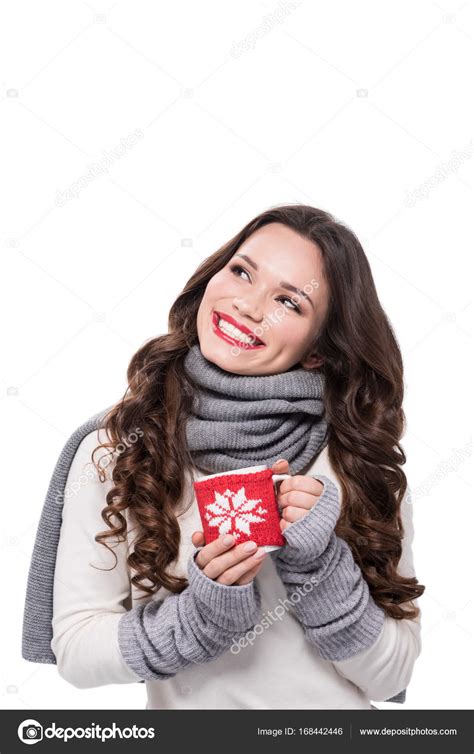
column 363, row 367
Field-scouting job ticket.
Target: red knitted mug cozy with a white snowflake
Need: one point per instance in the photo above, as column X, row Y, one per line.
column 243, row 505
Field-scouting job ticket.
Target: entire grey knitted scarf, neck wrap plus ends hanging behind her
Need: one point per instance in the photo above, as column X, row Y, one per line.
column 237, row 421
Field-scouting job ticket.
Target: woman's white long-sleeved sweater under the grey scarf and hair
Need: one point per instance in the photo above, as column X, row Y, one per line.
column 281, row 669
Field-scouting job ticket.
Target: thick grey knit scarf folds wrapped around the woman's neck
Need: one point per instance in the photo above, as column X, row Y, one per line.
column 242, row 420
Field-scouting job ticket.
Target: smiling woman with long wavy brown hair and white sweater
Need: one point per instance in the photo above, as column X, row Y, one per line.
column 278, row 352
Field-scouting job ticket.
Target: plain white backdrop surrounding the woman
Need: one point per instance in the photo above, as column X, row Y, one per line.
column 362, row 109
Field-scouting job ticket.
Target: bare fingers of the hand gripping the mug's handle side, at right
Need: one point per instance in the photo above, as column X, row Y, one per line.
column 296, row 495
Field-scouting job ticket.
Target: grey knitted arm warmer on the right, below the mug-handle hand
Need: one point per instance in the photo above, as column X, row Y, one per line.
column 335, row 608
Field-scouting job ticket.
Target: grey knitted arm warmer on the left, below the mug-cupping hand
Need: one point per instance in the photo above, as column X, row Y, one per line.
column 161, row 637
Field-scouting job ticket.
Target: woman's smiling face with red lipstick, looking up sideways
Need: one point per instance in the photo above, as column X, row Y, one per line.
column 257, row 292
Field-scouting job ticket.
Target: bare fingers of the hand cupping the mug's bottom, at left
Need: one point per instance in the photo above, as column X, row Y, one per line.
column 226, row 562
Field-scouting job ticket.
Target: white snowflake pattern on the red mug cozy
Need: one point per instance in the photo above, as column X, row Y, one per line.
column 233, row 512
